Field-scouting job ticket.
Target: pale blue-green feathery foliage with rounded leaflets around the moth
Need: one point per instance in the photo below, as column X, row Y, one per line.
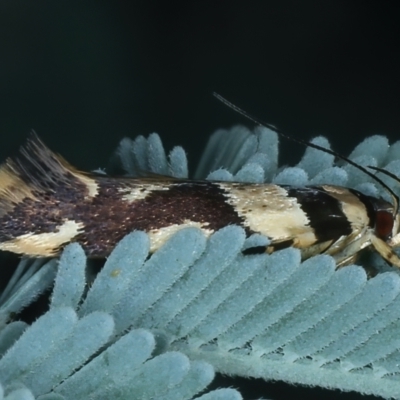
column 157, row 327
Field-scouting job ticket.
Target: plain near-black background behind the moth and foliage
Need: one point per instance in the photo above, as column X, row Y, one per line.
column 84, row 74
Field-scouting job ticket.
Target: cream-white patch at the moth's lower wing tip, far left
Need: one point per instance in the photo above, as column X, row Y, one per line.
column 43, row 244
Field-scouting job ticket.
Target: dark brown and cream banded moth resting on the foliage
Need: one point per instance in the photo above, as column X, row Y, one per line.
column 45, row 203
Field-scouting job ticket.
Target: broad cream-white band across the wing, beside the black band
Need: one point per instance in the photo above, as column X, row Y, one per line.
column 268, row 210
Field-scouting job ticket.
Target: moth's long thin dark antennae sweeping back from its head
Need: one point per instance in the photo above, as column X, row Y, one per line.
column 259, row 121
